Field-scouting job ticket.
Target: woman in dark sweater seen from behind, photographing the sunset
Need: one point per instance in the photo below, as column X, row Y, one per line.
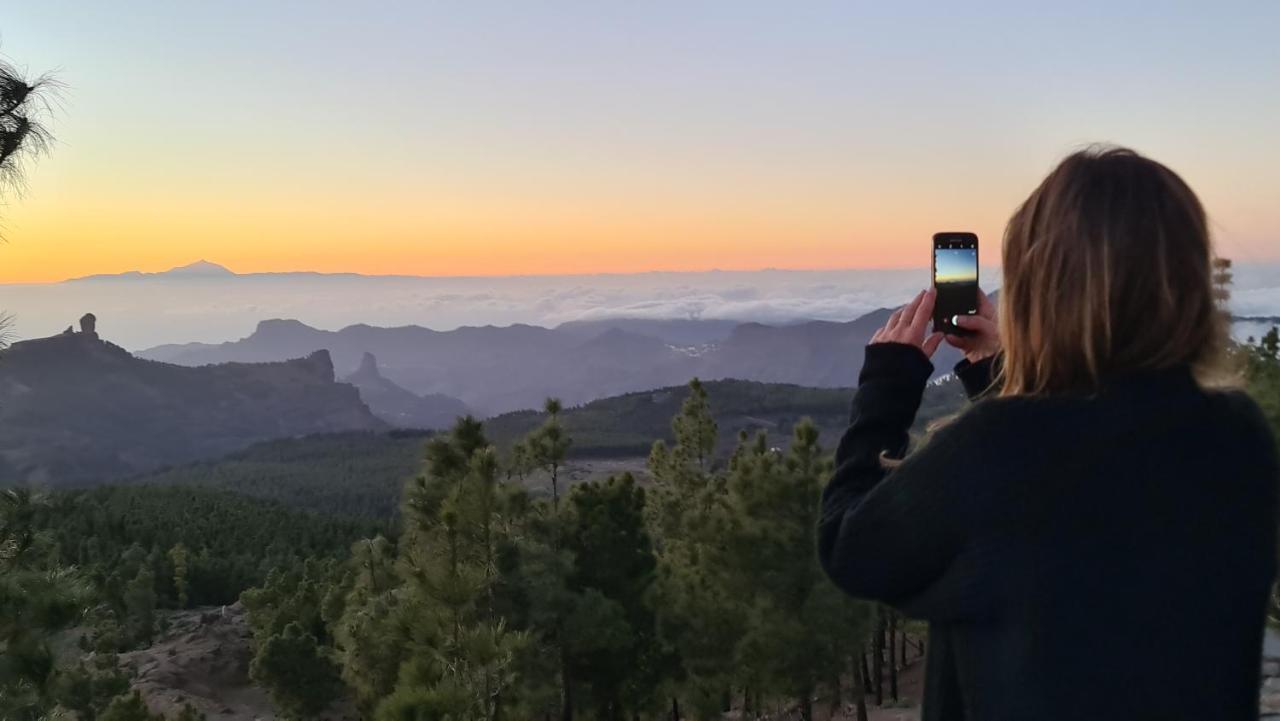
column 1096, row 537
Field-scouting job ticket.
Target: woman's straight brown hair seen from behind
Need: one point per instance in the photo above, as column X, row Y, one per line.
column 1108, row 271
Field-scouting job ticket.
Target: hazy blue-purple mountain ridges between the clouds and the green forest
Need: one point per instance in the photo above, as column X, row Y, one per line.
column 76, row 408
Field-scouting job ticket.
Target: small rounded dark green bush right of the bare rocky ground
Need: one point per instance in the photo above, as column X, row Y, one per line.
column 298, row 673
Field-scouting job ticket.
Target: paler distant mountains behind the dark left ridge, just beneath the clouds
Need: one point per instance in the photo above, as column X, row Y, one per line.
column 495, row 371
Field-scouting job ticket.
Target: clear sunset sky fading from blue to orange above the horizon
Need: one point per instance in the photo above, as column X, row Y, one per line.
column 484, row 139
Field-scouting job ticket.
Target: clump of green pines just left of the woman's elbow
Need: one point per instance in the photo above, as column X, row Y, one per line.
column 740, row 596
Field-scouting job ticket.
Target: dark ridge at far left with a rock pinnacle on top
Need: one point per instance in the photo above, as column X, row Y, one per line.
column 76, row 409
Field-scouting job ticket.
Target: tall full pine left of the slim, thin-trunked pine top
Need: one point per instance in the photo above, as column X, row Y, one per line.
column 459, row 655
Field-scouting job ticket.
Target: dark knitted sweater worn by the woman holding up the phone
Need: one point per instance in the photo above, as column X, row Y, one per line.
column 1077, row 558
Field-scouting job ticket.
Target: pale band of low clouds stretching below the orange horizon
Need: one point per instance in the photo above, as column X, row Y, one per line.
column 141, row 313
